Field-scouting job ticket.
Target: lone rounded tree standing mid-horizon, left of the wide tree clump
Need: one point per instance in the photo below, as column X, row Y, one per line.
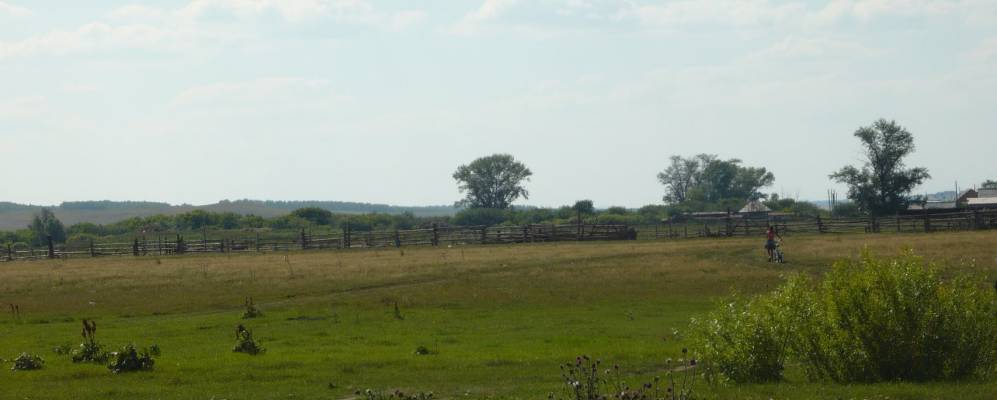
column 494, row 181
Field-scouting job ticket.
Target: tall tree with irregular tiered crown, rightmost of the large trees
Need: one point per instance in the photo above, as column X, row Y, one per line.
column 883, row 183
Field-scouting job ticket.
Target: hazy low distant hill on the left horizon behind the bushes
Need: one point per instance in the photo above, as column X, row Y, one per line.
column 17, row 216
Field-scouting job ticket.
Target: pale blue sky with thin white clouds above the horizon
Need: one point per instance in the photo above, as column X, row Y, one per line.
column 194, row 101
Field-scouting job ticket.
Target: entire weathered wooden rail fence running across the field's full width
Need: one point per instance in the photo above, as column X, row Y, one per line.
column 730, row 226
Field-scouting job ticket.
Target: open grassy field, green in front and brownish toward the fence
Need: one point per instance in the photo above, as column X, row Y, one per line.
column 498, row 319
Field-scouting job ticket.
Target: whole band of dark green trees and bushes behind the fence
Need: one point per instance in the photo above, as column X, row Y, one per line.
column 881, row 185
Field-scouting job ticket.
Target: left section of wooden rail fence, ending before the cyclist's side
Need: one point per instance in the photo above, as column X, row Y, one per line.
column 434, row 236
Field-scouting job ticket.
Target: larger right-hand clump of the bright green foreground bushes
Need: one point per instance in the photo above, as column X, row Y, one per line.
column 884, row 320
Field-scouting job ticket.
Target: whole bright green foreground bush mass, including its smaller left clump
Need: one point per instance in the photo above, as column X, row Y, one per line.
column 869, row 320
